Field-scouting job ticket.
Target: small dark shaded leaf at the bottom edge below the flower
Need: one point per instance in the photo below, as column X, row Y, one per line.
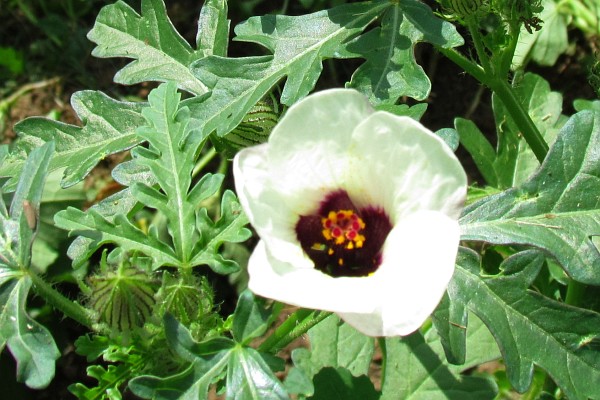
column 338, row 383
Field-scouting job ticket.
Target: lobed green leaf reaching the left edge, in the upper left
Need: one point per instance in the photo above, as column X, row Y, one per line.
column 109, row 127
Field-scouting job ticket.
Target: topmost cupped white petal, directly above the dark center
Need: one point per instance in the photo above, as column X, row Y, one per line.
column 308, row 149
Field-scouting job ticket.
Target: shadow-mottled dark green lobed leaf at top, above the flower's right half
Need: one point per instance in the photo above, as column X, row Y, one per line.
column 391, row 70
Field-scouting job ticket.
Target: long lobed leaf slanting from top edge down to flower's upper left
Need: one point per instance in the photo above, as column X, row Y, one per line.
column 299, row 44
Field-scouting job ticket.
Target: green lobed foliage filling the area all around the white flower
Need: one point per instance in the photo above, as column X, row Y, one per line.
column 149, row 260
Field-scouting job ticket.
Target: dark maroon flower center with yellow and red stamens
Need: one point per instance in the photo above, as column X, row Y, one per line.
column 341, row 239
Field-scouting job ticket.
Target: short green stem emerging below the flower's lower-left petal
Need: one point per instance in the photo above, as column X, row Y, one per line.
column 296, row 325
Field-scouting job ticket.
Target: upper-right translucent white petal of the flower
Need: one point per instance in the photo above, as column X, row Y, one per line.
column 403, row 167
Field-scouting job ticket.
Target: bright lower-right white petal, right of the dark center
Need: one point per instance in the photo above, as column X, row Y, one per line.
column 419, row 258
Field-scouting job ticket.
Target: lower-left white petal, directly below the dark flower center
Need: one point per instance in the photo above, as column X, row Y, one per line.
column 310, row 288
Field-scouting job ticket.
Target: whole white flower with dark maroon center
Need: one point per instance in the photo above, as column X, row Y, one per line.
column 356, row 210
